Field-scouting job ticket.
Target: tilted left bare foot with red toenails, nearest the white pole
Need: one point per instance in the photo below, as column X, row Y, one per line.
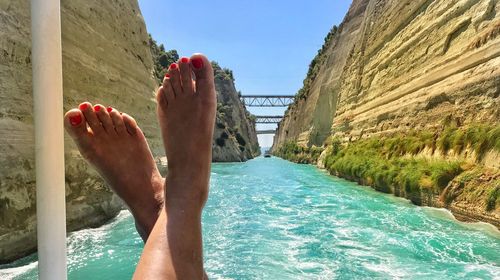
column 116, row 147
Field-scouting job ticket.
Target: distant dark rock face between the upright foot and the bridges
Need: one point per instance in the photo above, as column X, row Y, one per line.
column 235, row 138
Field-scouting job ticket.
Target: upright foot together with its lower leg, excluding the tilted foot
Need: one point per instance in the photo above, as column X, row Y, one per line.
column 186, row 111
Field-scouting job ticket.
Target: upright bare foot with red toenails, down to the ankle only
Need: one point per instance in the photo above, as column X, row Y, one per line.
column 186, row 112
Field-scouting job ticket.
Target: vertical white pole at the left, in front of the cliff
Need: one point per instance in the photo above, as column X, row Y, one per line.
column 49, row 138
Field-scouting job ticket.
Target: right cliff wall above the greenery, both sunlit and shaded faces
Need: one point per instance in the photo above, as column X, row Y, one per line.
column 395, row 65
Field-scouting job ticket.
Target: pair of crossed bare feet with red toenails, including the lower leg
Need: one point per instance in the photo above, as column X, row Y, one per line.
column 167, row 211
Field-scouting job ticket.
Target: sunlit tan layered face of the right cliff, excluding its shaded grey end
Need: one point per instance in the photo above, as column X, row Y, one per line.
column 417, row 62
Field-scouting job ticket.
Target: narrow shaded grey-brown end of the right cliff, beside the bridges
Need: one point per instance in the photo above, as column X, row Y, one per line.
column 310, row 119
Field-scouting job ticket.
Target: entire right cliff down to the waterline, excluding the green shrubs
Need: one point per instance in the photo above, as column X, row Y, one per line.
column 404, row 67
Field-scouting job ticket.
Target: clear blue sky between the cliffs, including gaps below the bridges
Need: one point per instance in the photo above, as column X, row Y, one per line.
column 267, row 43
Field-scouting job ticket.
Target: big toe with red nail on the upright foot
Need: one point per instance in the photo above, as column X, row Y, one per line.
column 204, row 75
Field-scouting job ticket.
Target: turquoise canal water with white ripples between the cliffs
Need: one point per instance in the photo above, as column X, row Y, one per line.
column 272, row 219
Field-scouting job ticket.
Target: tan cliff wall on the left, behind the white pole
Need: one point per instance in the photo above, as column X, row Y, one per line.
column 106, row 60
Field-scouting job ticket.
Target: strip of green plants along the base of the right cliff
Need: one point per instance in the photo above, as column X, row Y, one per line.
column 389, row 164
